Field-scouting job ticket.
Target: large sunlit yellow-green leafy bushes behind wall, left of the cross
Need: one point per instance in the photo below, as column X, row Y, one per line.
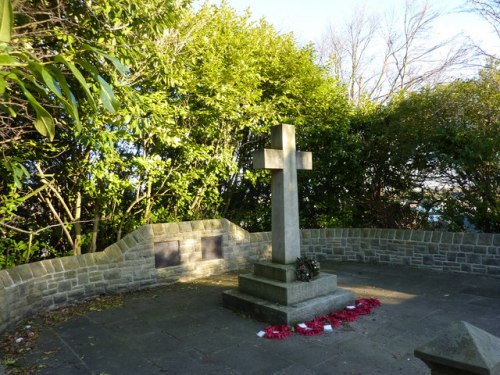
column 201, row 90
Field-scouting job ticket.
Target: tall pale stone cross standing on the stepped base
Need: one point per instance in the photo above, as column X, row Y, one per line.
column 283, row 160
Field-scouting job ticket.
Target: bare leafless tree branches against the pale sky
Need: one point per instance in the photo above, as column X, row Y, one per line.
column 378, row 59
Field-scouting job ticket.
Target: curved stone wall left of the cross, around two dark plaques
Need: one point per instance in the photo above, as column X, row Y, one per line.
column 126, row 265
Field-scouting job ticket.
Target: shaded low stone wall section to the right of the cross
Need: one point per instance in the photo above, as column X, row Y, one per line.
column 434, row 250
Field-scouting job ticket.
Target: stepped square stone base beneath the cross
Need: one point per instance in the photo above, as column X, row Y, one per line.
column 272, row 294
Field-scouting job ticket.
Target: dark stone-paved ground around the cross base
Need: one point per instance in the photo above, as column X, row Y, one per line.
column 183, row 329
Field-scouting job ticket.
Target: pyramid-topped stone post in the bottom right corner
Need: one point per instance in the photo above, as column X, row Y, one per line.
column 462, row 349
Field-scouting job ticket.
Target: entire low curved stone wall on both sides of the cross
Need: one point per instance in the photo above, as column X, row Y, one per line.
column 132, row 264
